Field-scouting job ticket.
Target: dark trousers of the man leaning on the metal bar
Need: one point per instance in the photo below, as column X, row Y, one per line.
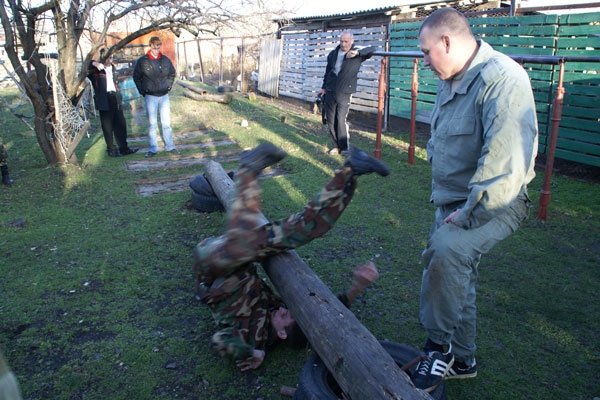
column 336, row 112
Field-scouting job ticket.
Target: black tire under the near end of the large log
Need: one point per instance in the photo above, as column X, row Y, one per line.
column 316, row 383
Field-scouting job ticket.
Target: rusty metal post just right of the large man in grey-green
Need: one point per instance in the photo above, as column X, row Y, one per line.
column 556, row 117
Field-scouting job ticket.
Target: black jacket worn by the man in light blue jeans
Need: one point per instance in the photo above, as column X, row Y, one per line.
column 154, row 77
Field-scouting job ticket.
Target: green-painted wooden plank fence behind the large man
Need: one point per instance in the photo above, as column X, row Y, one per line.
column 576, row 34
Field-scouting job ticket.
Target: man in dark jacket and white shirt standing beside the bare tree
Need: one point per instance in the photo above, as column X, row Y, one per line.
column 107, row 98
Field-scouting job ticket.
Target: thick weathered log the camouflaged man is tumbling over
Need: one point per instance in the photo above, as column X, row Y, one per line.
column 354, row 357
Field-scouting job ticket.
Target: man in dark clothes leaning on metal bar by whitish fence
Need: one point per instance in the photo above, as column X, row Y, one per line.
column 339, row 83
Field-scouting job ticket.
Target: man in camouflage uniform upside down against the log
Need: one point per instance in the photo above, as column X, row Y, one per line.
column 250, row 316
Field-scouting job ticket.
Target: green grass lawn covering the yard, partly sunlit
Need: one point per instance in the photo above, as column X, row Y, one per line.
column 96, row 290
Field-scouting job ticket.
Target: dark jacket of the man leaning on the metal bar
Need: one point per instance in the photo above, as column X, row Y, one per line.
column 345, row 82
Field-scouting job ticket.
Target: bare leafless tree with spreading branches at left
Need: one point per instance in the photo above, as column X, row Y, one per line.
column 74, row 20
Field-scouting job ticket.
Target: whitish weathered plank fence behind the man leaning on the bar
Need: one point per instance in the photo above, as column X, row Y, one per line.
column 305, row 58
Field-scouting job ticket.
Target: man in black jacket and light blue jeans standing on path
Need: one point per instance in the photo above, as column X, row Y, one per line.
column 153, row 76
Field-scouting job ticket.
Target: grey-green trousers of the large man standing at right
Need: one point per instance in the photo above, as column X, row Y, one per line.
column 451, row 259
